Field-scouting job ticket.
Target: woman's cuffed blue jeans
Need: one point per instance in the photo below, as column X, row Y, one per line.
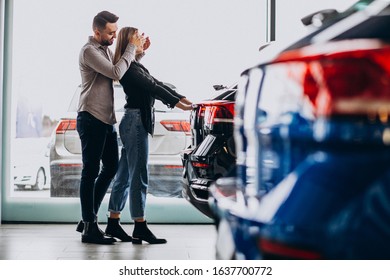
column 131, row 179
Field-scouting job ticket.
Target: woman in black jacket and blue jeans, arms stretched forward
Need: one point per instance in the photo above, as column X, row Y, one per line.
column 138, row 121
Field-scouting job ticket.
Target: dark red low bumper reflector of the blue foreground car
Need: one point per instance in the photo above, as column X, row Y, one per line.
column 276, row 250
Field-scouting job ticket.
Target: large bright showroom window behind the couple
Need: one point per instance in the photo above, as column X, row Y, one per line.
column 195, row 45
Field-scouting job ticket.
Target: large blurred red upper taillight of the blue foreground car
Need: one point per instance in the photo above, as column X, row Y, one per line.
column 344, row 81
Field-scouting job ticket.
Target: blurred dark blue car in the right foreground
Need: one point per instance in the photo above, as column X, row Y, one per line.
column 312, row 134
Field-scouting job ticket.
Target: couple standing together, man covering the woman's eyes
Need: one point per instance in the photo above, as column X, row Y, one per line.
column 99, row 67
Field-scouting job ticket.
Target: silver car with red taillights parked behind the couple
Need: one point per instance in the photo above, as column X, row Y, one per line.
column 171, row 136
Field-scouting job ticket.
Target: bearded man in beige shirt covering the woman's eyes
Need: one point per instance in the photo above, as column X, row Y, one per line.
column 96, row 119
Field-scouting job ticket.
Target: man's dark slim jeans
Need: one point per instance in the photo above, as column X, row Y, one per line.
column 99, row 143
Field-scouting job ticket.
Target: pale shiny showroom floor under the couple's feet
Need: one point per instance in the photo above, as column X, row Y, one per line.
column 62, row 242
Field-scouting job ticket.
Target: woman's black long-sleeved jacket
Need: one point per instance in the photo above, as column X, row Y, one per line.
column 142, row 89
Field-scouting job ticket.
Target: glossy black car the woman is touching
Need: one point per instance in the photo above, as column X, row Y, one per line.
column 211, row 154
